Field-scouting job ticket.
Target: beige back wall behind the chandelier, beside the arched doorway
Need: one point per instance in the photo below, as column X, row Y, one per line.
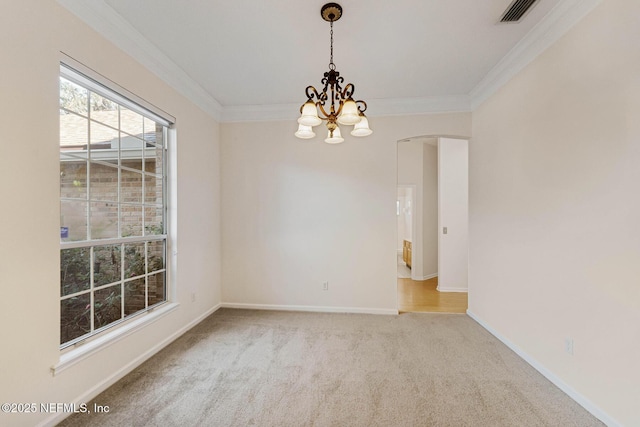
column 297, row 213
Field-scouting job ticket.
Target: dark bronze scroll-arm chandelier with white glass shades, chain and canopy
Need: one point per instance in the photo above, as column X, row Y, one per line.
column 334, row 104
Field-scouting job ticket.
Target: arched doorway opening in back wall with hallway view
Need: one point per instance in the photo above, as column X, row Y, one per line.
column 432, row 224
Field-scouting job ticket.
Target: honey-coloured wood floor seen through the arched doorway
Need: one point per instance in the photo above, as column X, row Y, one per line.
column 422, row 296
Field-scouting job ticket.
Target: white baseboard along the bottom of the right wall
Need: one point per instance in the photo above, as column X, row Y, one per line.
column 570, row 391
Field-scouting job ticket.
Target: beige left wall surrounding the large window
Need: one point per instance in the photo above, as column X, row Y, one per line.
column 32, row 35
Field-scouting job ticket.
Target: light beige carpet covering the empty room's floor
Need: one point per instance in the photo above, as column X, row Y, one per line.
column 265, row 368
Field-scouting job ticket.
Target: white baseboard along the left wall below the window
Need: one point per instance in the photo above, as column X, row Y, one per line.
column 119, row 374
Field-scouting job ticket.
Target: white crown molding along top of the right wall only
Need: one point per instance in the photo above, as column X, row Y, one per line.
column 561, row 19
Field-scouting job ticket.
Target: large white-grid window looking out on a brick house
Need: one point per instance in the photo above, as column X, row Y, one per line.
column 113, row 237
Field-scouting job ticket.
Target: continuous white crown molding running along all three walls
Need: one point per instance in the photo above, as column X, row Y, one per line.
column 107, row 22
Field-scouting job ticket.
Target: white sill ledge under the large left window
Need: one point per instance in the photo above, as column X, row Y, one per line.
column 87, row 349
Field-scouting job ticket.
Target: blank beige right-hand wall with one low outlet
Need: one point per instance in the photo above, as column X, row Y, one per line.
column 554, row 210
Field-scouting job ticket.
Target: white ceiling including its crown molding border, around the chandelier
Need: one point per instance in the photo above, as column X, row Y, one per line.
column 254, row 56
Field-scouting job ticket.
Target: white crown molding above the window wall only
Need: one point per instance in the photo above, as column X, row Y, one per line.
column 107, row 22
